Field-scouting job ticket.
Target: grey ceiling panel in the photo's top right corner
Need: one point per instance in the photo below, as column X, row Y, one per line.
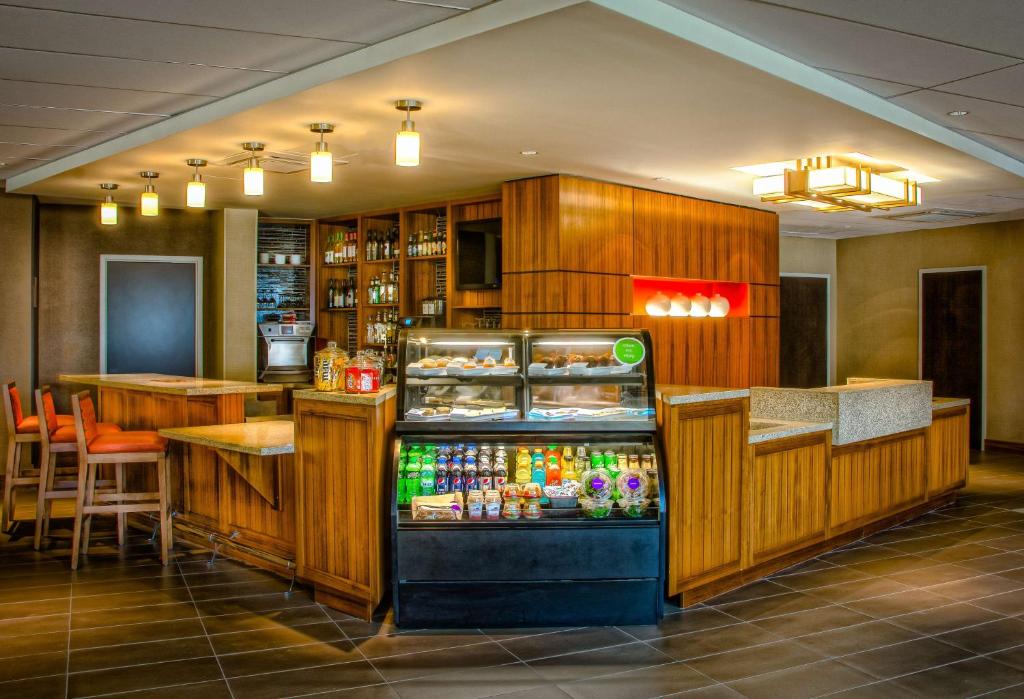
column 991, row 25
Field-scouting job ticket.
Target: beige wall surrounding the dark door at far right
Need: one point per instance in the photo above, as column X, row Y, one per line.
column 878, row 308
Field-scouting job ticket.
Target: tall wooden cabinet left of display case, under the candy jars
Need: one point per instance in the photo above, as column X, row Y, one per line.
column 343, row 479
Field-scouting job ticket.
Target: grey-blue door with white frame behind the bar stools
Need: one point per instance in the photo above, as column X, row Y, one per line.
column 151, row 316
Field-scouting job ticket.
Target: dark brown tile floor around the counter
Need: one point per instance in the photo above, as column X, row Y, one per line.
column 930, row 609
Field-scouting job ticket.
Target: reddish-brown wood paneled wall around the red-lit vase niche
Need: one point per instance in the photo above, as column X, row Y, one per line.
column 571, row 247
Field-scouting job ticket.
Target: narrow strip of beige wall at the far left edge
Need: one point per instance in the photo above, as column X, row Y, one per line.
column 17, row 215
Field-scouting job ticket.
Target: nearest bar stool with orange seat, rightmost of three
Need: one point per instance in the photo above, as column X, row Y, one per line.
column 118, row 449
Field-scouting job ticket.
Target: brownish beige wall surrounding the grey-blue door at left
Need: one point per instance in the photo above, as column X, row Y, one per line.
column 71, row 241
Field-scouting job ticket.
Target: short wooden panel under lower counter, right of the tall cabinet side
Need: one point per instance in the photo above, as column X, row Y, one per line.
column 787, row 496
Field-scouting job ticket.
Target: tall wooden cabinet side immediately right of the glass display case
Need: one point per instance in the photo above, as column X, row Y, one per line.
column 705, row 447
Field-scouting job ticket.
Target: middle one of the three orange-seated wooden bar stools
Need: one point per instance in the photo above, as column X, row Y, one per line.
column 55, row 440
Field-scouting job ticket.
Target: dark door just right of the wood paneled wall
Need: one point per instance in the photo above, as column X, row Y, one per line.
column 804, row 331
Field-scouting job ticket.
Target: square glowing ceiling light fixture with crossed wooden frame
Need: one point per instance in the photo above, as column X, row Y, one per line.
column 851, row 182
